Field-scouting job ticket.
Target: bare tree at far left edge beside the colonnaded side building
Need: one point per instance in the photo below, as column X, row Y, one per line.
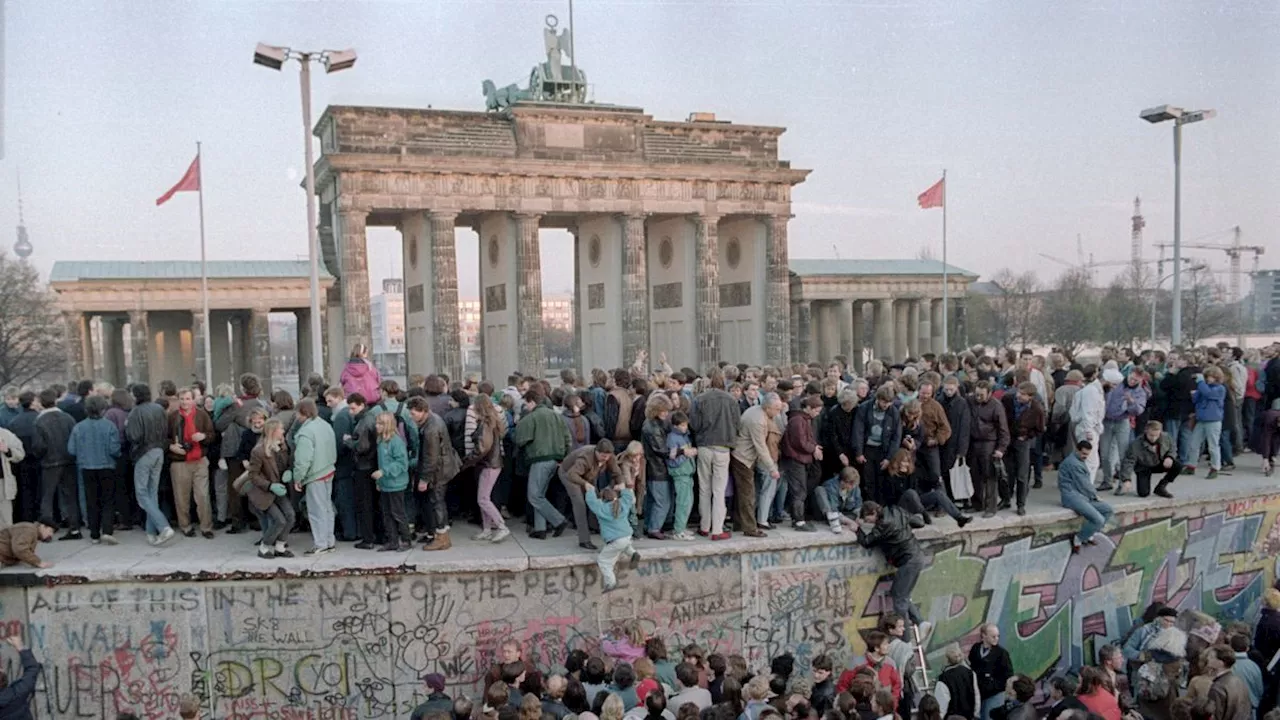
column 31, row 332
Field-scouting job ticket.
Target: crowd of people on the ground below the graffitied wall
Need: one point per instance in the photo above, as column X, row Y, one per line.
column 1169, row 666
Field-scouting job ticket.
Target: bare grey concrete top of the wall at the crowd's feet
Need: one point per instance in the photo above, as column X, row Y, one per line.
column 234, row 557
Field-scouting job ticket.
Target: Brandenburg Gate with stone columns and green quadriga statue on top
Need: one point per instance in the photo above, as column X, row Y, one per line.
column 680, row 227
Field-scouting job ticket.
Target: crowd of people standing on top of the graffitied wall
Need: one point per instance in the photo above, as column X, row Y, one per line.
column 633, row 453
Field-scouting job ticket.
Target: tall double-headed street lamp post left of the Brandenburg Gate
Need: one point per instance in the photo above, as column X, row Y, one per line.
column 335, row 61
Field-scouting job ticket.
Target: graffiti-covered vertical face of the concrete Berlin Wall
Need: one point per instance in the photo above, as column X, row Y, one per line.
column 355, row 648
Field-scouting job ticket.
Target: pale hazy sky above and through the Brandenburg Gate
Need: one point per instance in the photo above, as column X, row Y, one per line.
column 1031, row 106
